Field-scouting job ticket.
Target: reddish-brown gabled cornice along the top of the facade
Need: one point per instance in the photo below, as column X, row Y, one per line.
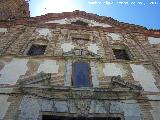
column 117, row 26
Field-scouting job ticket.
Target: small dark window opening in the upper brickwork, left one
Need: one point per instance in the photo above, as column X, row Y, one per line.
column 37, row 50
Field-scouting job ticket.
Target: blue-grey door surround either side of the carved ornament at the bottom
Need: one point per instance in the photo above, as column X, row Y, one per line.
column 31, row 107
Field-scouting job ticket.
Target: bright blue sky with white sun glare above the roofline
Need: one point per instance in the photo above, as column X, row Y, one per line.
column 140, row 12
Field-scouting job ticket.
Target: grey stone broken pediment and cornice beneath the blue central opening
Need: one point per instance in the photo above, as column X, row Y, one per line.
column 31, row 85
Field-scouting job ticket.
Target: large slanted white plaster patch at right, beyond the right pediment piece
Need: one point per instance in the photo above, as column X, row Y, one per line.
column 145, row 77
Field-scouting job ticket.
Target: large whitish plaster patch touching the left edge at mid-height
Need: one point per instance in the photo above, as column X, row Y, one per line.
column 12, row 71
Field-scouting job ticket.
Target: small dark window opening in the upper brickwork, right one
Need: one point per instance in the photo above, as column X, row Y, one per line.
column 121, row 54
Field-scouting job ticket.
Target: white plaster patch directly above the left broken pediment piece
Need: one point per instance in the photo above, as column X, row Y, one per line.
column 48, row 66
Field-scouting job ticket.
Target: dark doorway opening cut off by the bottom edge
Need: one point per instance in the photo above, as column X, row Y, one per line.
column 52, row 117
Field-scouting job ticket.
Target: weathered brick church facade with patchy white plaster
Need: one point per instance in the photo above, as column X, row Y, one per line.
column 76, row 65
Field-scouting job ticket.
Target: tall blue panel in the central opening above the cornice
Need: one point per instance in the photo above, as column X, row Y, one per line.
column 81, row 74
